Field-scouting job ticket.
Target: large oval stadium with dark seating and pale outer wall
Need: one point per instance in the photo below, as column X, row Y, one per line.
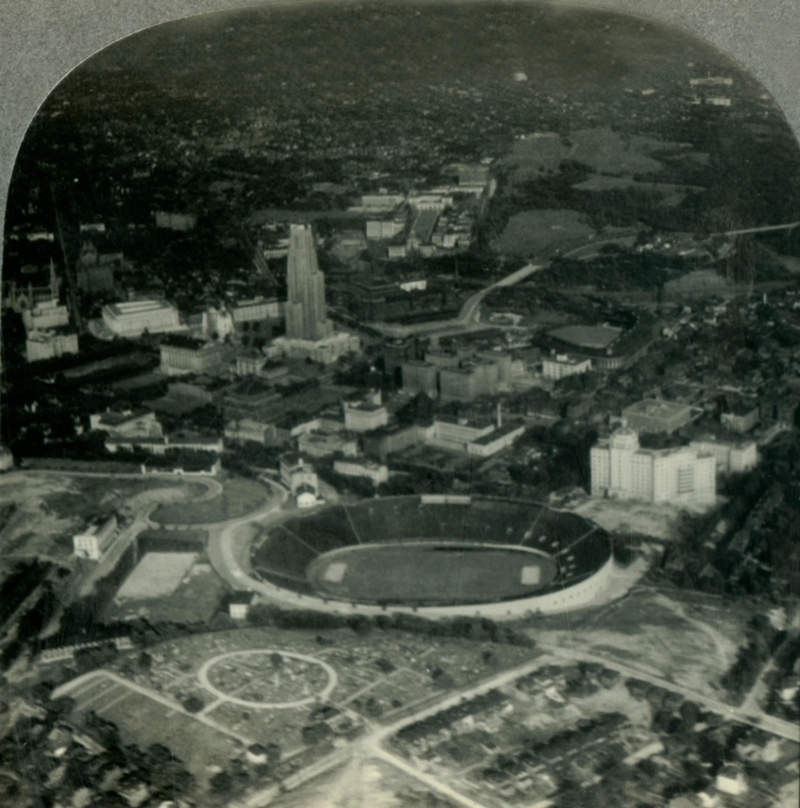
column 438, row 555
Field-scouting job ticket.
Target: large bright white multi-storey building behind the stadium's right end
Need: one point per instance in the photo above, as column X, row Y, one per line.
column 620, row 468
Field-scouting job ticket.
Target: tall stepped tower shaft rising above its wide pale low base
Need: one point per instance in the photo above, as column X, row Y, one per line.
column 305, row 305
